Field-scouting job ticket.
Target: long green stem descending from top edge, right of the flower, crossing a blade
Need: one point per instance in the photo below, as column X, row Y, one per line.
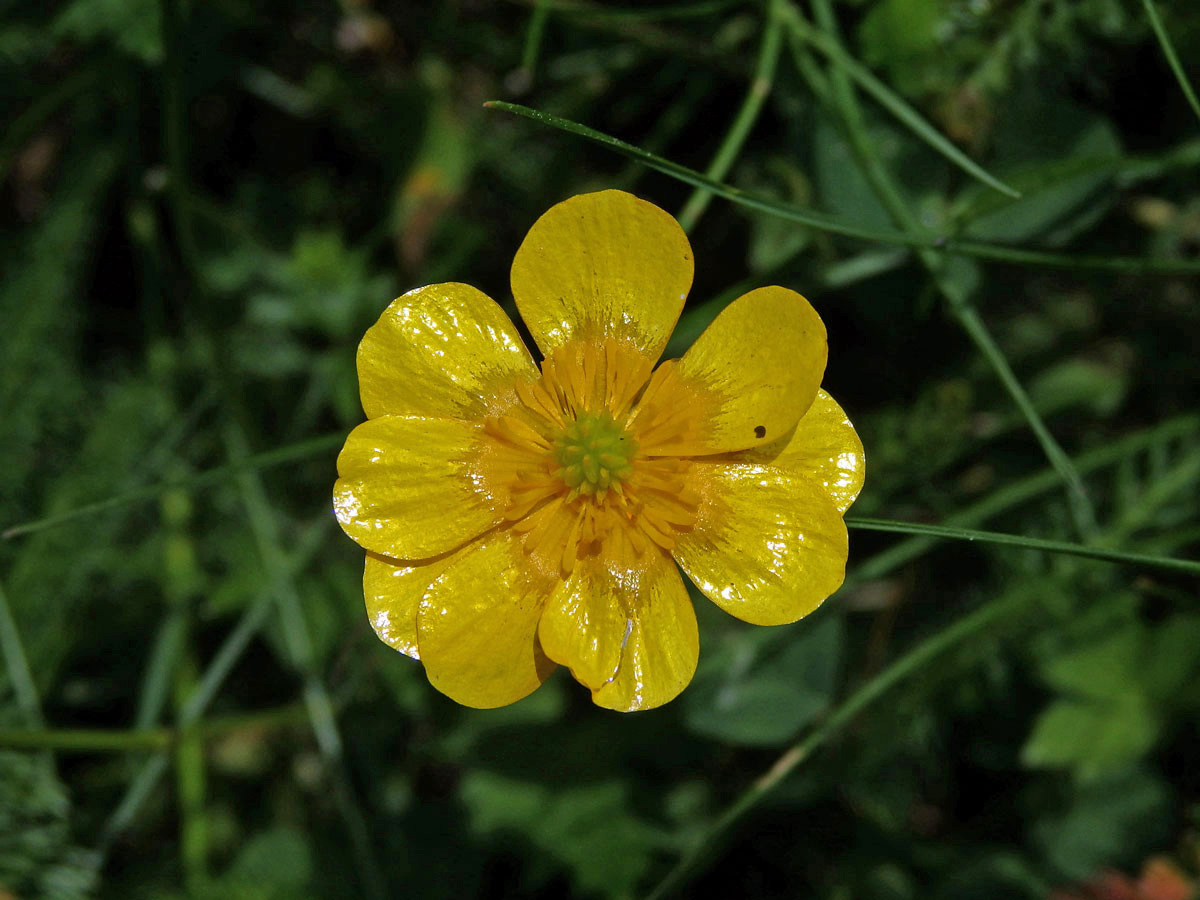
column 889, row 193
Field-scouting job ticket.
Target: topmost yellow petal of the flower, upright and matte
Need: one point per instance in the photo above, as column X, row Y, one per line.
column 599, row 266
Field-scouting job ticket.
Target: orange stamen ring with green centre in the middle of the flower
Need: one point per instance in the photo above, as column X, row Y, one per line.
column 574, row 460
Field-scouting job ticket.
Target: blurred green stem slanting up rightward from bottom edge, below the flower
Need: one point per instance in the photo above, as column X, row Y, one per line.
column 914, row 662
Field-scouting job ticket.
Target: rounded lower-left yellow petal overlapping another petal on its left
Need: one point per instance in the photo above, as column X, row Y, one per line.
column 477, row 626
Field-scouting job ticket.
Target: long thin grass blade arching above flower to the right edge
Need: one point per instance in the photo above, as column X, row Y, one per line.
column 827, row 224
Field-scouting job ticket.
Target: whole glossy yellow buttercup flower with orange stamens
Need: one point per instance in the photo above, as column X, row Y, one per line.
column 520, row 515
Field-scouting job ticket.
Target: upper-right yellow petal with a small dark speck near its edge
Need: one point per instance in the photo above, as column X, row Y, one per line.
column 753, row 374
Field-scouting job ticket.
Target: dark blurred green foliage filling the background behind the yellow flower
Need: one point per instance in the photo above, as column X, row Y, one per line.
column 203, row 208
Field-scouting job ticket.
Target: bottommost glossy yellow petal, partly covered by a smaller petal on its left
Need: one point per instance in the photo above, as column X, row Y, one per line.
column 659, row 638
